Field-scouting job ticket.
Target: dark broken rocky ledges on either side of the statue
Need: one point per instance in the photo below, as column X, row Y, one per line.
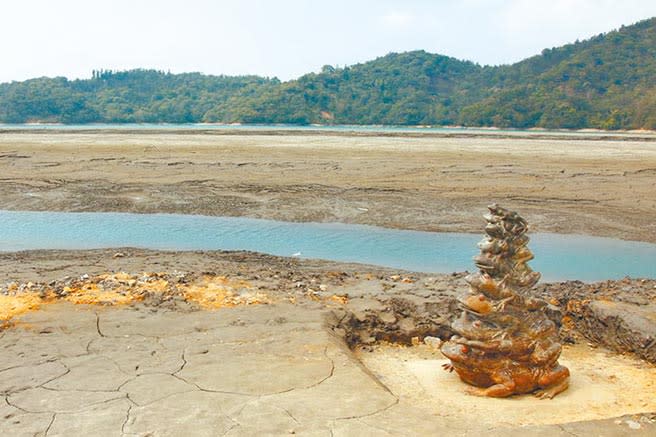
column 433, row 303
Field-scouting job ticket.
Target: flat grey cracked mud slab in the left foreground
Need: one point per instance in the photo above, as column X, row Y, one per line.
column 234, row 372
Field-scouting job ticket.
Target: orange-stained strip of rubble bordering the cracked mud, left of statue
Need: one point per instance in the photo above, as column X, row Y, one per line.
column 180, row 291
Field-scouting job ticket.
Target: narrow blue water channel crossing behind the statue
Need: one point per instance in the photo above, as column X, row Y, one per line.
column 557, row 257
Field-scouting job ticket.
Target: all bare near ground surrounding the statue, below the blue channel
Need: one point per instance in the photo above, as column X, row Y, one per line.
column 163, row 343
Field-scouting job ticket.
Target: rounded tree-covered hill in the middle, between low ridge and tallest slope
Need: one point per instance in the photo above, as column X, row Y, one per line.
column 408, row 88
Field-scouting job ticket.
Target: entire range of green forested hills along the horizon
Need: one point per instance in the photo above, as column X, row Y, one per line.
column 604, row 82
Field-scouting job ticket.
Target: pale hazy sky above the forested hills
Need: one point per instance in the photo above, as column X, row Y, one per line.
column 286, row 38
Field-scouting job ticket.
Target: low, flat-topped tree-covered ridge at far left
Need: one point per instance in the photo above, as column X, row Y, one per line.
column 137, row 96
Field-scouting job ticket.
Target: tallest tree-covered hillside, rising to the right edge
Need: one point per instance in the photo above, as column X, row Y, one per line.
column 607, row 82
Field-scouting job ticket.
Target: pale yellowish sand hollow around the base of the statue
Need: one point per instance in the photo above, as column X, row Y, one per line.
column 602, row 385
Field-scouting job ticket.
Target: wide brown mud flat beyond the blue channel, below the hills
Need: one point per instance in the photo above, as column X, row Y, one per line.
column 603, row 187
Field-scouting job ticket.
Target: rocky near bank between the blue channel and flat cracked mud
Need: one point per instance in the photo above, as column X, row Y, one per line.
column 368, row 303
